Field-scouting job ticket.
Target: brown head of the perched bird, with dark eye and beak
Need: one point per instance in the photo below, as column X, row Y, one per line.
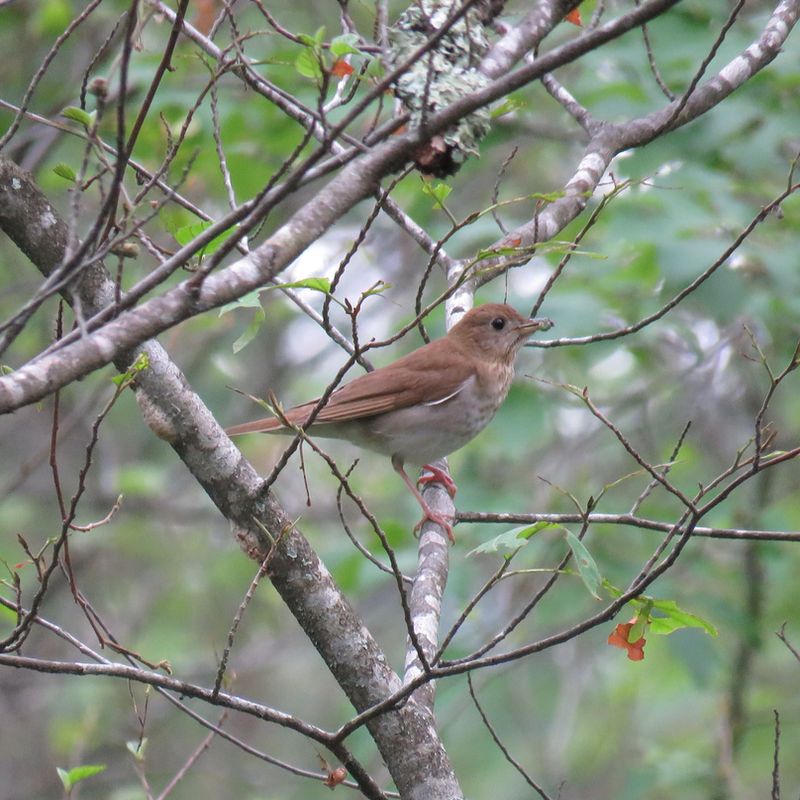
column 495, row 331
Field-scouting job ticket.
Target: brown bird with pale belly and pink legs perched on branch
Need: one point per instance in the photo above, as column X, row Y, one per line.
column 426, row 404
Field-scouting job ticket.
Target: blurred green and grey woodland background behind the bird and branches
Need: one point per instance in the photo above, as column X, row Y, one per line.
column 695, row 718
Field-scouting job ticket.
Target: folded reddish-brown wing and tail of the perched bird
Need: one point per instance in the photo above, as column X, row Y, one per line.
column 432, row 374
